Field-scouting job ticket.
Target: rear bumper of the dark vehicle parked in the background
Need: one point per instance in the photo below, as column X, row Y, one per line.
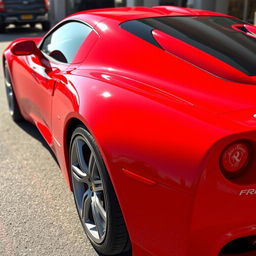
column 14, row 18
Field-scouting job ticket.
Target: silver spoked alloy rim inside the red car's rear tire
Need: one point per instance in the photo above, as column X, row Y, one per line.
column 88, row 189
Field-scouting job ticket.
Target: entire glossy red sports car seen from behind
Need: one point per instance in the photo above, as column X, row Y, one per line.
column 151, row 113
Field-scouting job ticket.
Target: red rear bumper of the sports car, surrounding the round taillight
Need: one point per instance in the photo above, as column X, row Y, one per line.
column 223, row 213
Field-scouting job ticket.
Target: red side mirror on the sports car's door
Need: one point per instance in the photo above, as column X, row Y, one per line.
column 24, row 48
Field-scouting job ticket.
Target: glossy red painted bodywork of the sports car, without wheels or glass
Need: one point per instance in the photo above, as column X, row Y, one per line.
column 161, row 124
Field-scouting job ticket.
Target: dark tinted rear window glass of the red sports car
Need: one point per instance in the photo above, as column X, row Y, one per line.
column 211, row 34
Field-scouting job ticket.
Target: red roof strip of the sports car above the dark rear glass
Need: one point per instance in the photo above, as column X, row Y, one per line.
column 123, row 14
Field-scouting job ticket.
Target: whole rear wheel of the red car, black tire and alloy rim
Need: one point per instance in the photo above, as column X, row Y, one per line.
column 93, row 191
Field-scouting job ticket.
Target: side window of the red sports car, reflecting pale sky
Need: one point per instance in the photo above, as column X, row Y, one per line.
column 64, row 42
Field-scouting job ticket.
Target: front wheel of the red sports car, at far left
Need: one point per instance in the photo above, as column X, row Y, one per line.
column 11, row 98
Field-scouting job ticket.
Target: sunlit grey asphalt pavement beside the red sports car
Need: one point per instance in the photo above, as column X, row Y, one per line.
column 37, row 212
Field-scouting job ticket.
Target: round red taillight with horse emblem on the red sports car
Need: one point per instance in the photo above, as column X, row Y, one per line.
column 235, row 158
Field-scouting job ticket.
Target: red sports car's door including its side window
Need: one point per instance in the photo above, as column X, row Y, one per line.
column 59, row 49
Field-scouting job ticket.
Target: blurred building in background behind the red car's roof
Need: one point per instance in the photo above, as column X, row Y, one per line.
column 243, row 9
